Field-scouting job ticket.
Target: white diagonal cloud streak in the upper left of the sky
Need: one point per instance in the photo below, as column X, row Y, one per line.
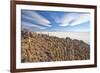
column 38, row 18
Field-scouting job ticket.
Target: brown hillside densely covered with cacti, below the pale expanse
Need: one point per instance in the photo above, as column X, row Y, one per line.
column 44, row 48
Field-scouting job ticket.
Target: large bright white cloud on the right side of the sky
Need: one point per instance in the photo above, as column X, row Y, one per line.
column 73, row 19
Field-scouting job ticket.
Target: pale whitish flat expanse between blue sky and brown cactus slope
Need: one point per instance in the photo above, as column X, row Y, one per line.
column 85, row 36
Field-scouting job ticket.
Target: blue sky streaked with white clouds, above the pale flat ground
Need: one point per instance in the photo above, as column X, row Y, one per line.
column 55, row 21
